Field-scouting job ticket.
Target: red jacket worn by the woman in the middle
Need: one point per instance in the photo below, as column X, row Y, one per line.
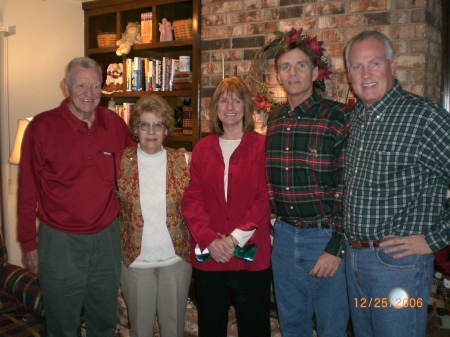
column 207, row 213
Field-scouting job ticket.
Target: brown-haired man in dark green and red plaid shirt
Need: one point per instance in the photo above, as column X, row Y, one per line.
column 304, row 160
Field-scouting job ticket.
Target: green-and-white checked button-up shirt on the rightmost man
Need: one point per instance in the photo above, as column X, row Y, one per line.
column 397, row 170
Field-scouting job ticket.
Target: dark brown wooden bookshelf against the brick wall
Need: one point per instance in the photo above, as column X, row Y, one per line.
column 112, row 16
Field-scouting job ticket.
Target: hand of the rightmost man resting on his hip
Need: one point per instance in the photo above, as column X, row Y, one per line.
column 406, row 246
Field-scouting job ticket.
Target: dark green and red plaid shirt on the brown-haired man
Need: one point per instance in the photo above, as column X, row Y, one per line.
column 304, row 160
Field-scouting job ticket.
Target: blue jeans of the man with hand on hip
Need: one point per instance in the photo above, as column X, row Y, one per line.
column 388, row 297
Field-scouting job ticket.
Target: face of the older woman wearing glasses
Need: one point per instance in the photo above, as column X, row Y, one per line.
column 151, row 140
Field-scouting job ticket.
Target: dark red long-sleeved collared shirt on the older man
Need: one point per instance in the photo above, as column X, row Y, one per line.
column 66, row 175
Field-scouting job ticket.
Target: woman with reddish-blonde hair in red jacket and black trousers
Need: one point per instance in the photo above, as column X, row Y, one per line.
column 227, row 211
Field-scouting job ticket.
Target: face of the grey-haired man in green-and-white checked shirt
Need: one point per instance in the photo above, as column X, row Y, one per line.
column 371, row 73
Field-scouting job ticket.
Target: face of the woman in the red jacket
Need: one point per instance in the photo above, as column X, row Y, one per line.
column 230, row 111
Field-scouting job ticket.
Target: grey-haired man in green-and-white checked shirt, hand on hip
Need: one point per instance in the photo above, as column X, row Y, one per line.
column 397, row 170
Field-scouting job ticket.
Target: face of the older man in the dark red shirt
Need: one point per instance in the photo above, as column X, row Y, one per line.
column 84, row 90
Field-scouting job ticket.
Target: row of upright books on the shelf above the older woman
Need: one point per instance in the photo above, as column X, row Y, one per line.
column 146, row 74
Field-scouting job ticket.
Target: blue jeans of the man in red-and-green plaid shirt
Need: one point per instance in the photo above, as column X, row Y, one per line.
column 298, row 295
